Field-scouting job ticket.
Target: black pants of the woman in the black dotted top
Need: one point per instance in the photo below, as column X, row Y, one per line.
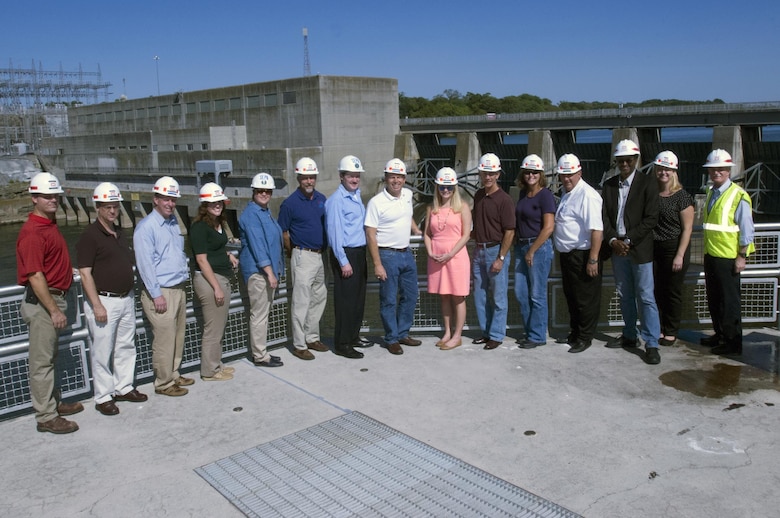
column 669, row 284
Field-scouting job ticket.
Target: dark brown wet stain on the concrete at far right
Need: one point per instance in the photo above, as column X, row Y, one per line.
column 723, row 380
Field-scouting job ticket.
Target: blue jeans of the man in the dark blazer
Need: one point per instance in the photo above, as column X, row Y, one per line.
column 635, row 286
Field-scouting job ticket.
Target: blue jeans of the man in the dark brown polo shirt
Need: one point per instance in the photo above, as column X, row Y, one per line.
column 490, row 292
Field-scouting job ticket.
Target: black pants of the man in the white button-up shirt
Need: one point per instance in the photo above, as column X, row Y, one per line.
column 583, row 293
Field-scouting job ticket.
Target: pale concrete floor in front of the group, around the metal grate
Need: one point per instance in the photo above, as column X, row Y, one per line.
column 600, row 433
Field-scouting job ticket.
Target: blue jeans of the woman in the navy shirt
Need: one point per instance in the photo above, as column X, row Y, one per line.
column 531, row 289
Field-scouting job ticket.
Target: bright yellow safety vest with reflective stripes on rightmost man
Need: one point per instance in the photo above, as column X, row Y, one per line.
column 721, row 232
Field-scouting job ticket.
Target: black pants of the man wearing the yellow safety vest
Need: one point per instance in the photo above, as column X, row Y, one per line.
column 723, row 298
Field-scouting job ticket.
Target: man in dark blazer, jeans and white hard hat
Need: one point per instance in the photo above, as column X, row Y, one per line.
column 630, row 211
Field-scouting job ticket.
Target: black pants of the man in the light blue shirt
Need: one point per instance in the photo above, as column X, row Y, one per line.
column 349, row 297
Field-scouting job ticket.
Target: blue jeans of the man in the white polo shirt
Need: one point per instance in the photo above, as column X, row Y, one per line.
column 398, row 293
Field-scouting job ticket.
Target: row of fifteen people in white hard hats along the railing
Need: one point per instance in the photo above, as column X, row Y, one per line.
column 642, row 222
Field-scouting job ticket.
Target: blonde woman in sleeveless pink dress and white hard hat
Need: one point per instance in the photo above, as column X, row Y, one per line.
column 447, row 230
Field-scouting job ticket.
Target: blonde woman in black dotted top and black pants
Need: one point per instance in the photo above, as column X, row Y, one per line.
column 671, row 240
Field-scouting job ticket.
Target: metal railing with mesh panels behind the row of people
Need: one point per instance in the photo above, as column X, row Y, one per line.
column 759, row 307
